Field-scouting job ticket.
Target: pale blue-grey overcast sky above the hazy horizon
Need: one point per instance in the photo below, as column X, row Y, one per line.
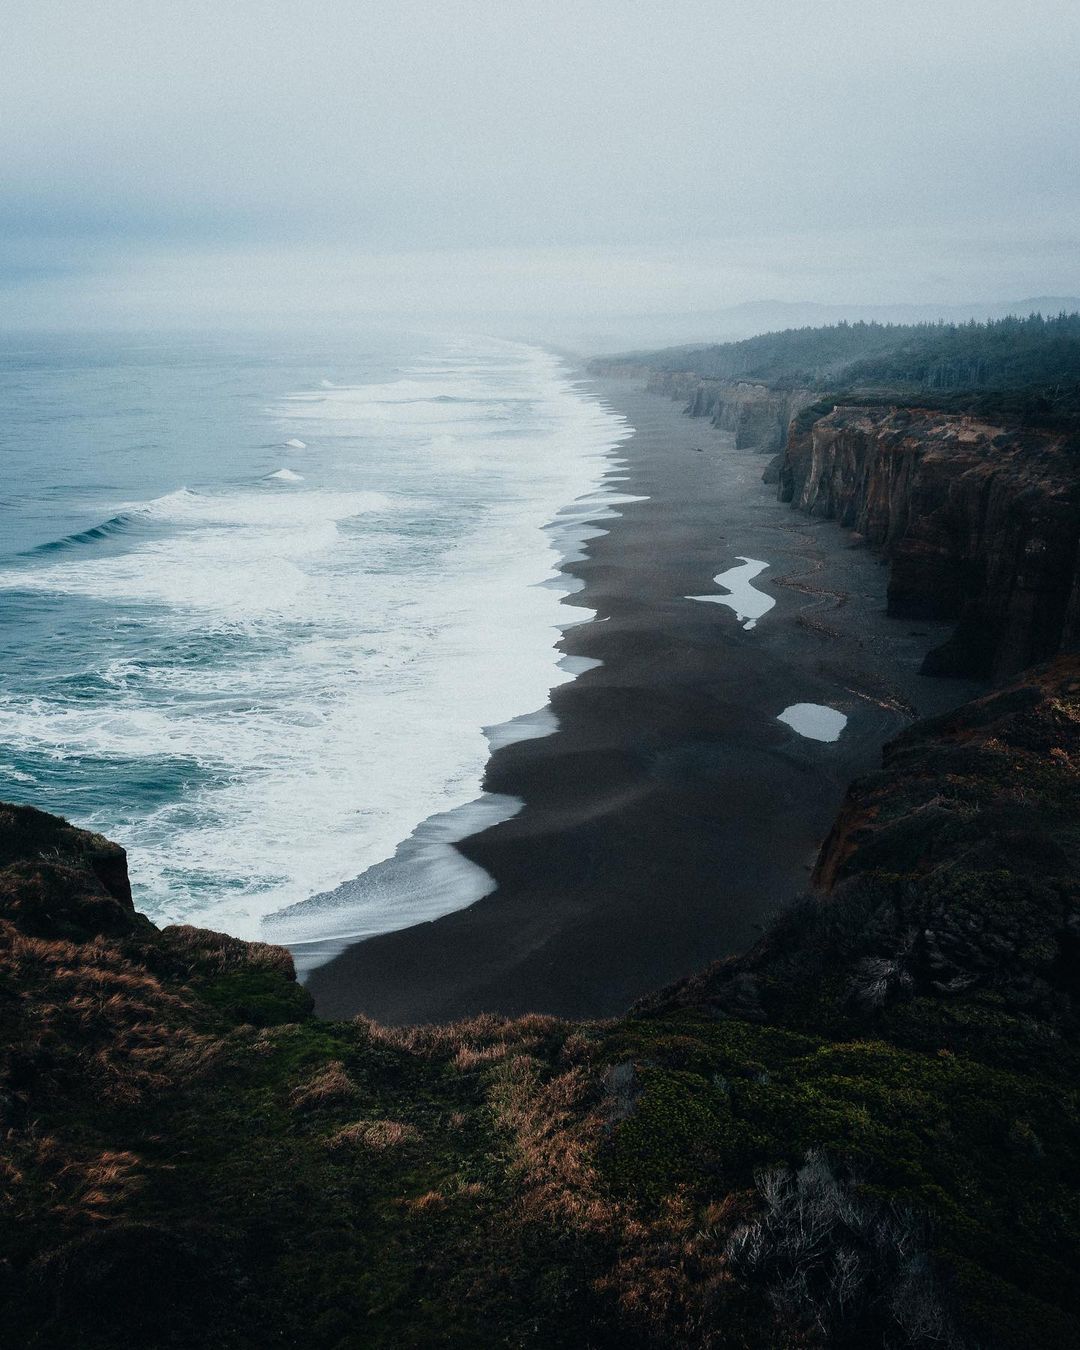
column 587, row 157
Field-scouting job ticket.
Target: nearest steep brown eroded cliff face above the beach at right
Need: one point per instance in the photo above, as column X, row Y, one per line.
column 981, row 524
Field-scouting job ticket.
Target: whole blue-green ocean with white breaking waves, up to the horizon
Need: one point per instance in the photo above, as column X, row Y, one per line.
column 267, row 604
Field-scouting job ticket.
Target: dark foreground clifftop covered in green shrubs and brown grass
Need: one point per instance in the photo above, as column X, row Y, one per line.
column 863, row 1132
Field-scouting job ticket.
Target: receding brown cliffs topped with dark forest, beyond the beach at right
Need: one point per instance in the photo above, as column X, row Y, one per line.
column 954, row 450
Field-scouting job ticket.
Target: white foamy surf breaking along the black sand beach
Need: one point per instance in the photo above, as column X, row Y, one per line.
column 335, row 662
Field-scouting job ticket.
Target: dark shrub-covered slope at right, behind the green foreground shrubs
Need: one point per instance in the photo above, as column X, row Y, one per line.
column 951, row 875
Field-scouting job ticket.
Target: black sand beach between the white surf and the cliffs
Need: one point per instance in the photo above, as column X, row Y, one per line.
column 670, row 815
